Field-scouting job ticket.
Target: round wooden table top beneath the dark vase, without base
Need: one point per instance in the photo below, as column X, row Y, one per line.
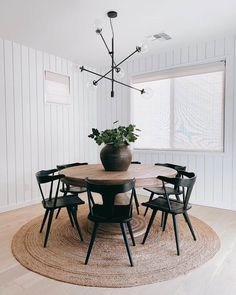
column 145, row 175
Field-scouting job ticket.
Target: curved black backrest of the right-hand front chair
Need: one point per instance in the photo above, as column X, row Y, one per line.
column 186, row 181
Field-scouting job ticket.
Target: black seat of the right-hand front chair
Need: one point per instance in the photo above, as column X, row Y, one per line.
column 161, row 203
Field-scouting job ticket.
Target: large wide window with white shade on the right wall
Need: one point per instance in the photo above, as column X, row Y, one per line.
column 186, row 111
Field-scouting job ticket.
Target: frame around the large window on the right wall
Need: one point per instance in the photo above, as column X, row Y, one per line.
column 150, row 76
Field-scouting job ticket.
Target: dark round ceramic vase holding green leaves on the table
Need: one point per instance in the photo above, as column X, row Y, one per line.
column 115, row 159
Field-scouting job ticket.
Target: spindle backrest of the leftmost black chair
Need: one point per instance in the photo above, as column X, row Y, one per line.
column 47, row 176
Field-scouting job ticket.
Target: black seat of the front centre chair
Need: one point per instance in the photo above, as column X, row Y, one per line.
column 120, row 214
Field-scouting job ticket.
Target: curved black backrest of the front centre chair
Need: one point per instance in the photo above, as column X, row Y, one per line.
column 108, row 193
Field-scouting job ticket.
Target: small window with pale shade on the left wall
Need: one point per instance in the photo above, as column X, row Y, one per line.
column 57, row 88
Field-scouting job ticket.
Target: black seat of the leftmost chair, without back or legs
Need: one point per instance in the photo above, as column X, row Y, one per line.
column 71, row 200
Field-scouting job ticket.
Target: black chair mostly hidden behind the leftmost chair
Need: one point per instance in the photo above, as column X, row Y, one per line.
column 66, row 188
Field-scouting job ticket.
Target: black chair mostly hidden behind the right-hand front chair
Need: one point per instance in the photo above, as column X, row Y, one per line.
column 169, row 190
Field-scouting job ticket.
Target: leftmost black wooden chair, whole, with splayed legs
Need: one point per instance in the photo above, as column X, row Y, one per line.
column 53, row 201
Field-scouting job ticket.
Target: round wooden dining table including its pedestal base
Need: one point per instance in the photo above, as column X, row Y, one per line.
column 145, row 175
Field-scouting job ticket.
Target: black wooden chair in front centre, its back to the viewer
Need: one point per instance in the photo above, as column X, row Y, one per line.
column 108, row 211
